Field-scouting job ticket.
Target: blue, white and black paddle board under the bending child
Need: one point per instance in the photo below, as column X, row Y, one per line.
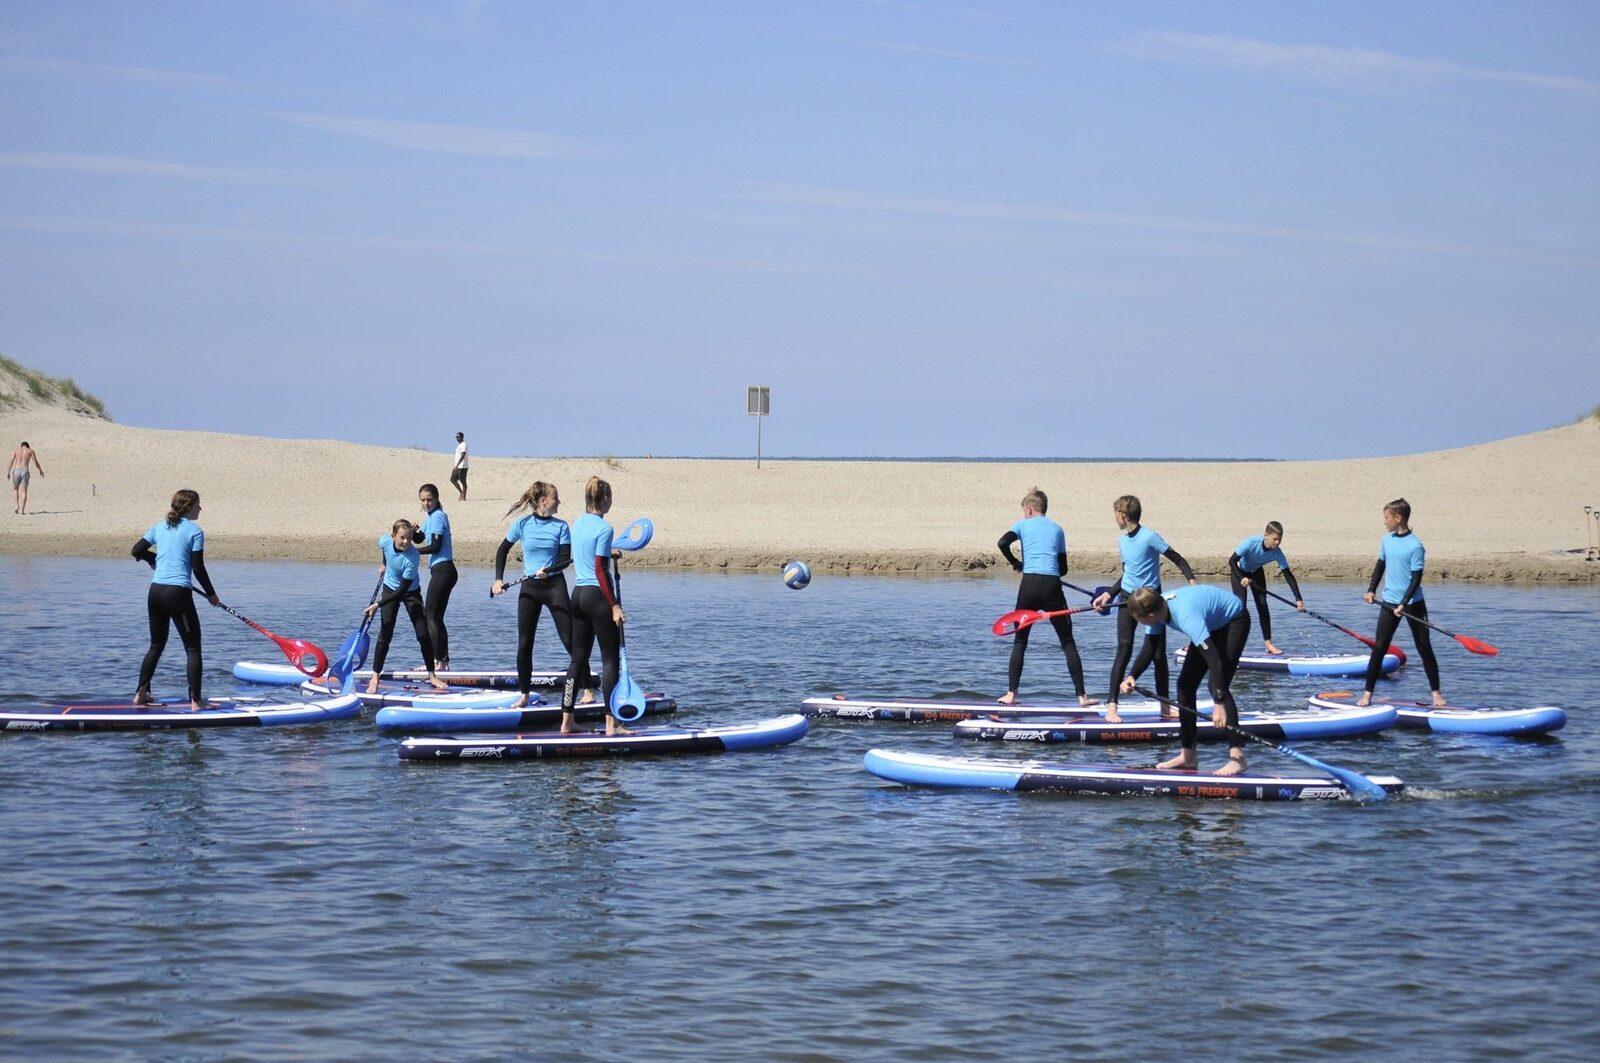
column 918, row 769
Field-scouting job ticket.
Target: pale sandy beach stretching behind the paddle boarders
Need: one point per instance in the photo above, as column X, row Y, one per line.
column 1508, row 510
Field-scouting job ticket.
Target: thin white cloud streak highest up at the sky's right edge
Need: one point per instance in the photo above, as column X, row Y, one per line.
column 1326, row 63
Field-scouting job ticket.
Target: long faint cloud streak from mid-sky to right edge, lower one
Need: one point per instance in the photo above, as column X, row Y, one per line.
column 865, row 201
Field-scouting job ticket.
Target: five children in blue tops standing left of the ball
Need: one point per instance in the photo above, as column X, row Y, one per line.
column 594, row 612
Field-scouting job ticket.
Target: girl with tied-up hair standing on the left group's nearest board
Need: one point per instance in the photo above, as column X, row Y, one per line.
column 598, row 614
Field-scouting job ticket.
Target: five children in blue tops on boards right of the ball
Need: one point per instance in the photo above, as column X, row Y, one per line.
column 1215, row 620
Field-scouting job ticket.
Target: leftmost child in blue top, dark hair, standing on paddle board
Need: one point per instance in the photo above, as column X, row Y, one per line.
column 175, row 550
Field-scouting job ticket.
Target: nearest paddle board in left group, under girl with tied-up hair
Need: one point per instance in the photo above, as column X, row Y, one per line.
column 649, row 740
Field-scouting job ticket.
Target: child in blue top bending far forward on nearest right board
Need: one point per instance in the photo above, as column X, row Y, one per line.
column 1218, row 627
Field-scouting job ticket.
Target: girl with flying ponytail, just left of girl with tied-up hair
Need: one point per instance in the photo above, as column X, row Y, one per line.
column 546, row 555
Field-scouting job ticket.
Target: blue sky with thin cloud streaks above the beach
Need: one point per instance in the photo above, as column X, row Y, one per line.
column 934, row 228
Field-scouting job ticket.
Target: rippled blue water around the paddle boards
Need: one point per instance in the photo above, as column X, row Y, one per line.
column 302, row 894
